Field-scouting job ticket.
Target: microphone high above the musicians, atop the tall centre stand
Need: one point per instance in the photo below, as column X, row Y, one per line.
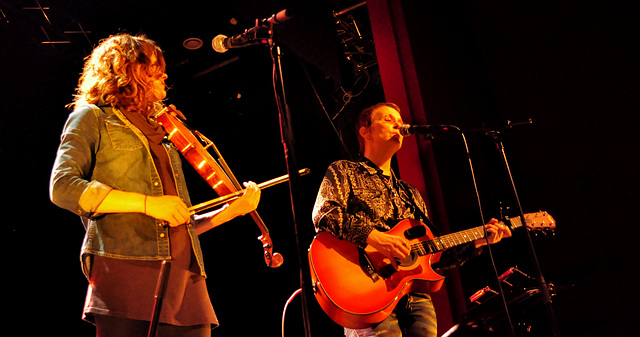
column 222, row 43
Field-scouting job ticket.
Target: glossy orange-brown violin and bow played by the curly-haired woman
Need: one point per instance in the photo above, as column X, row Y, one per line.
column 220, row 179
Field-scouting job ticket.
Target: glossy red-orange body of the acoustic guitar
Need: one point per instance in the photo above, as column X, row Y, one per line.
column 353, row 296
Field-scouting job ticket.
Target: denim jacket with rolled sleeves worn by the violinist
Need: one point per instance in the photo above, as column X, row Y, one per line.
column 101, row 150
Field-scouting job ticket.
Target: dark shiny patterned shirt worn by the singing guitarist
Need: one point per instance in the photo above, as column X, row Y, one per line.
column 356, row 197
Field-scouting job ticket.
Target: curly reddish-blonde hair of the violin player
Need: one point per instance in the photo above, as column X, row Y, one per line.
column 120, row 72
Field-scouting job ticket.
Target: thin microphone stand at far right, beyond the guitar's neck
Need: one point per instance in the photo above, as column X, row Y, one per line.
column 544, row 287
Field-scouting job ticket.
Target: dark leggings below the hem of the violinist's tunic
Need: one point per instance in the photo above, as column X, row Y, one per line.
column 108, row 326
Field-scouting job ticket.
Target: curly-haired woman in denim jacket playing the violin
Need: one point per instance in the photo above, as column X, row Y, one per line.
column 115, row 169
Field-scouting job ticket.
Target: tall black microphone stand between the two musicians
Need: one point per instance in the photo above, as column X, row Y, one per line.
column 287, row 138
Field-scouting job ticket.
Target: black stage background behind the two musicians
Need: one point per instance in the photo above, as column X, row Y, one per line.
column 570, row 66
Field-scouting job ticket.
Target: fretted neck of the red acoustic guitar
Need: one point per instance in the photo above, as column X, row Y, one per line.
column 456, row 239
